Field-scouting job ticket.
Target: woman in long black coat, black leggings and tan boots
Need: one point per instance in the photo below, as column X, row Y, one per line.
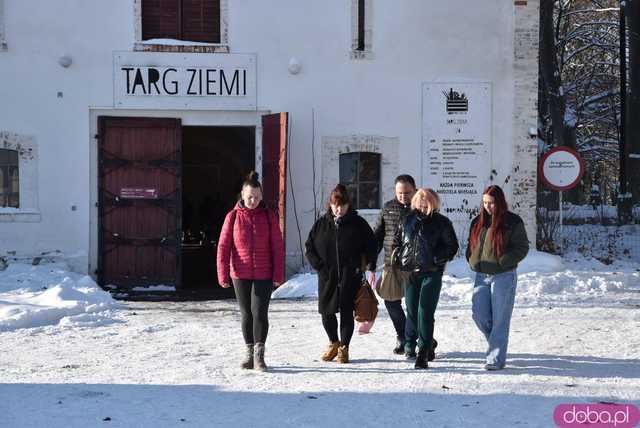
column 339, row 246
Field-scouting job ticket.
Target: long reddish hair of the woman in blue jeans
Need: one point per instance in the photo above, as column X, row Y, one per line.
column 497, row 228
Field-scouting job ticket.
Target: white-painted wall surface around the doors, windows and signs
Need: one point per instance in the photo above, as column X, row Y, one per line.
column 413, row 42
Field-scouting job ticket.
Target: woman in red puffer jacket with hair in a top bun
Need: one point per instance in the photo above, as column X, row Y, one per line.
column 251, row 256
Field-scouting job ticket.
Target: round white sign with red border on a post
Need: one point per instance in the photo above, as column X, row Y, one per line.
column 561, row 168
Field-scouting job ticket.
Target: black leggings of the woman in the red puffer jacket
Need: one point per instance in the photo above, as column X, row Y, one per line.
column 253, row 296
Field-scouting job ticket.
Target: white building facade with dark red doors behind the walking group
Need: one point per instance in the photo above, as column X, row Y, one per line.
column 444, row 91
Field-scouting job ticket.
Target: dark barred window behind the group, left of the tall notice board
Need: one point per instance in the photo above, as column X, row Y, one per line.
column 360, row 173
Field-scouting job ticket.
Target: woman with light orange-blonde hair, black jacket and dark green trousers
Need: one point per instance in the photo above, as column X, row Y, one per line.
column 424, row 243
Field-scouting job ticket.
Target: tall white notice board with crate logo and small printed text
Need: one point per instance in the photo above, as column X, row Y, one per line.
column 456, row 147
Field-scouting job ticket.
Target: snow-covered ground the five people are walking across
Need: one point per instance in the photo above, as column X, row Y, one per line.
column 574, row 339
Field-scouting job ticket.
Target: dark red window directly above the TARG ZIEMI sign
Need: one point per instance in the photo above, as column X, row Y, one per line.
column 188, row 20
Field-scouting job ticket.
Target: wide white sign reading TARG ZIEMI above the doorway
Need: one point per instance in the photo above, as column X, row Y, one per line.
column 184, row 81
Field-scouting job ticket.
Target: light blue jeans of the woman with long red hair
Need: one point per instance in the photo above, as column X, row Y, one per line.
column 492, row 306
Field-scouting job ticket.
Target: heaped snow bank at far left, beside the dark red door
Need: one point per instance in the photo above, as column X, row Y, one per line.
column 37, row 296
